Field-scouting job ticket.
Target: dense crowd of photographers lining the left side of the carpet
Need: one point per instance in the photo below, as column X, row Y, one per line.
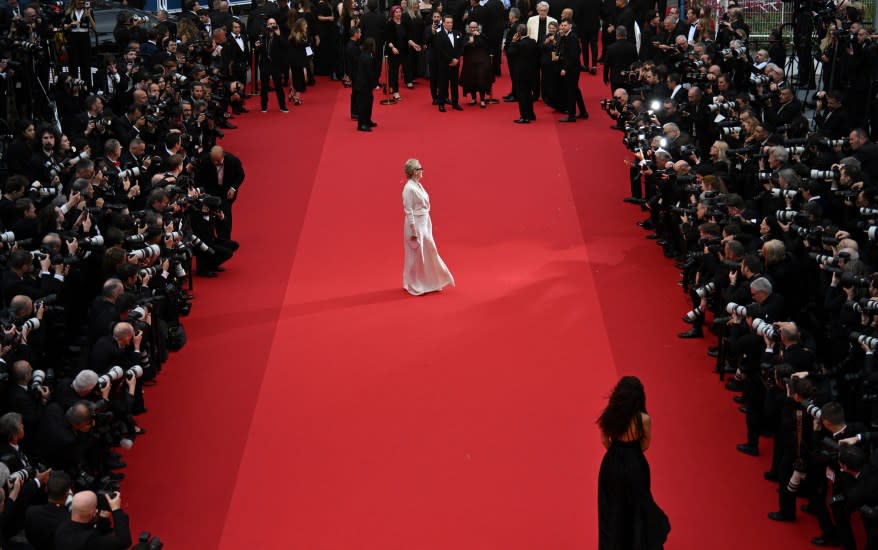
column 115, row 194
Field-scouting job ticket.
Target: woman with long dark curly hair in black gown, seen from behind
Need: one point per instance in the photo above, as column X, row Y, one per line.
column 628, row 517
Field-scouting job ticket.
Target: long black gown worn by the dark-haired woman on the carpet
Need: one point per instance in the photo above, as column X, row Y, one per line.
column 628, row 517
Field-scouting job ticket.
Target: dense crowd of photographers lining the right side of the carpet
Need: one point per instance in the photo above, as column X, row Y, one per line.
column 769, row 207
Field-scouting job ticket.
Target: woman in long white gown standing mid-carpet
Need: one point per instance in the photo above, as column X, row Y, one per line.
column 424, row 270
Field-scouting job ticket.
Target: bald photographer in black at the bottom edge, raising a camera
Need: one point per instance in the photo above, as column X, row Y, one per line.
column 87, row 527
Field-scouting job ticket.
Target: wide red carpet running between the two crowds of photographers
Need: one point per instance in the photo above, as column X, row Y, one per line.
column 318, row 406
